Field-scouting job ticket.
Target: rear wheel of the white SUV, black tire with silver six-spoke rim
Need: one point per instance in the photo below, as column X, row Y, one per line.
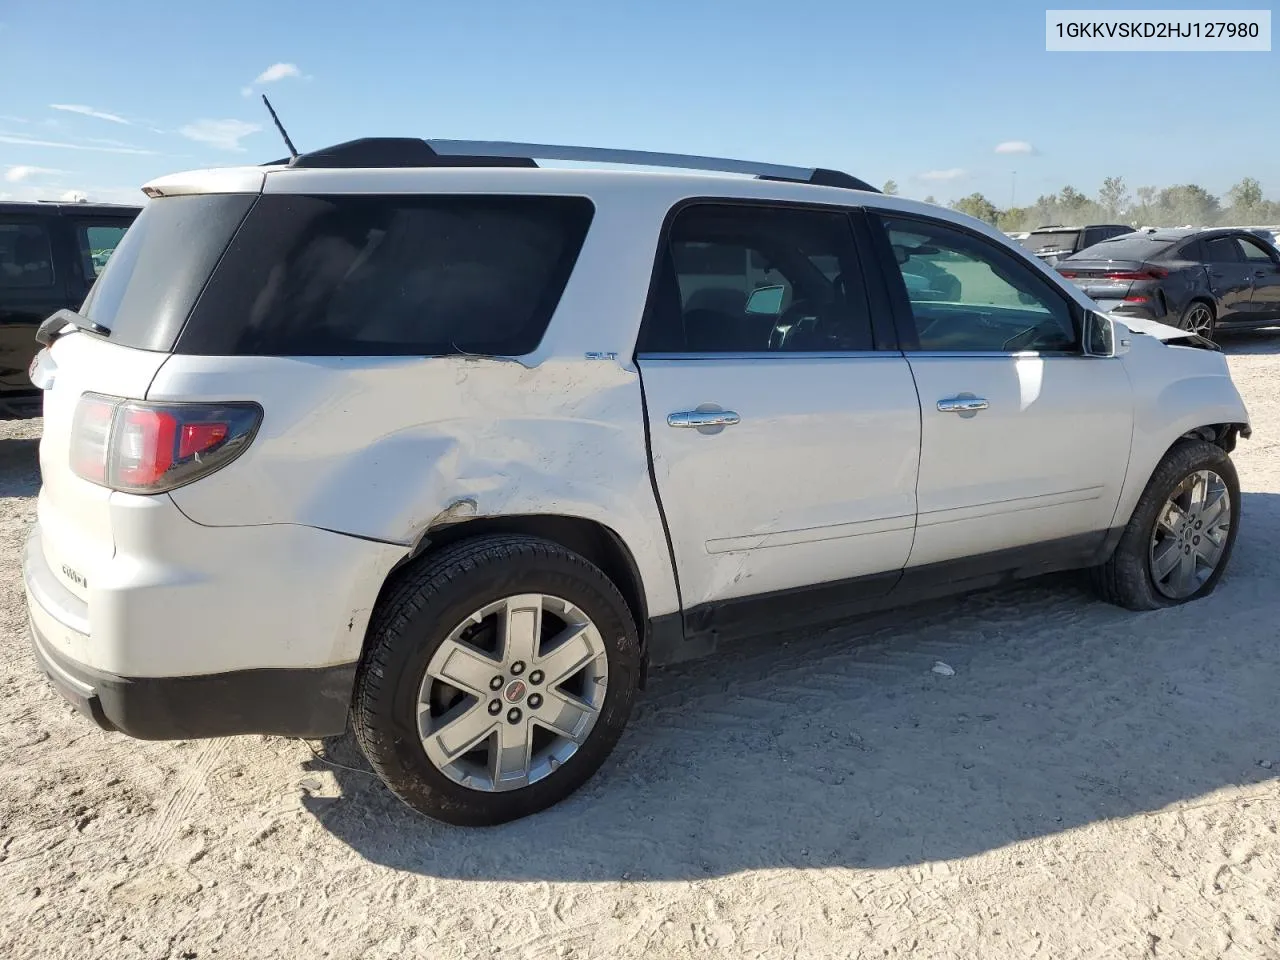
column 497, row 678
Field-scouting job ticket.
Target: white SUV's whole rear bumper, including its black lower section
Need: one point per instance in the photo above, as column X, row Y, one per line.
column 249, row 670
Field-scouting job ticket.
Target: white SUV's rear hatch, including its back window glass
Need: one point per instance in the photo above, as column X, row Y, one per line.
column 143, row 299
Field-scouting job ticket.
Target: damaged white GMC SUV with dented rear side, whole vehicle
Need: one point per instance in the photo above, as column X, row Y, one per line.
column 424, row 437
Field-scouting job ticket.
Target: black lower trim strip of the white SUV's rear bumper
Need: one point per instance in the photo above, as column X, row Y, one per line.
column 301, row 703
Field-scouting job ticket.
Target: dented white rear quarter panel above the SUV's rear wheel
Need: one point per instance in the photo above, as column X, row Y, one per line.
column 378, row 449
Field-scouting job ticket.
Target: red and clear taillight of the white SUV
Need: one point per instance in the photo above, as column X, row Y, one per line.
column 139, row 447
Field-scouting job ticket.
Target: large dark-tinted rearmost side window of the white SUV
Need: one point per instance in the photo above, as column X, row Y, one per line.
column 415, row 276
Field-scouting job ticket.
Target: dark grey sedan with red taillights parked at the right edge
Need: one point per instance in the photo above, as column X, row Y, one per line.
column 1196, row 280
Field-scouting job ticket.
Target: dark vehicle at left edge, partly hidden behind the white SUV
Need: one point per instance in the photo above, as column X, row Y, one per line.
column 51, row 254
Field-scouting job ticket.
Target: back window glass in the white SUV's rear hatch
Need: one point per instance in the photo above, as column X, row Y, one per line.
column 156, row 276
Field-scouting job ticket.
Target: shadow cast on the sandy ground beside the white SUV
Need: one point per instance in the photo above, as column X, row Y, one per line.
column 845, row 749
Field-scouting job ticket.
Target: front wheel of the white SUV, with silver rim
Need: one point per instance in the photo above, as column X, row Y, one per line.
column 1181, row 536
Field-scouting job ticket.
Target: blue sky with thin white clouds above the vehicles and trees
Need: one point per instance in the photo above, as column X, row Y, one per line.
column 100, row 98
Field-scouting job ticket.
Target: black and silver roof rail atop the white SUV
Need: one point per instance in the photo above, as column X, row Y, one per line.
column 410, row 152
